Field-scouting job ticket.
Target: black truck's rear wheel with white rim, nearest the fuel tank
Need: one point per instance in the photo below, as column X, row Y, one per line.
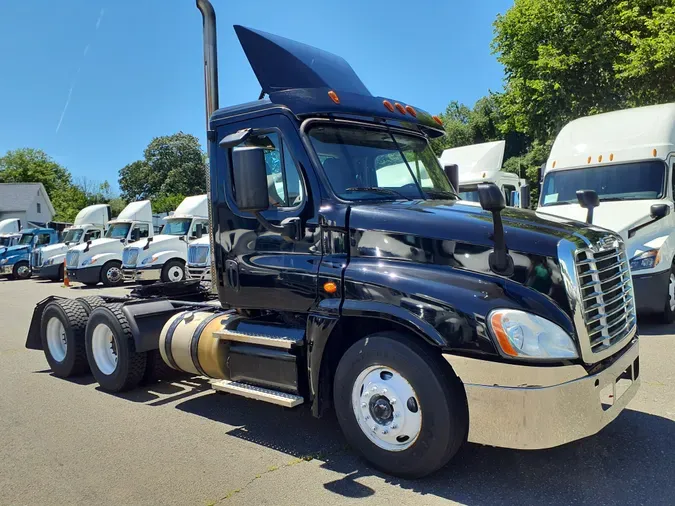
column 121, row 368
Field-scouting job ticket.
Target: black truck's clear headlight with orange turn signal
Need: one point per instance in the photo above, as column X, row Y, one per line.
column 524, row 335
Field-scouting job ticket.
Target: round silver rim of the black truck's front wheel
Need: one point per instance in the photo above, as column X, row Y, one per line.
column 386, row 408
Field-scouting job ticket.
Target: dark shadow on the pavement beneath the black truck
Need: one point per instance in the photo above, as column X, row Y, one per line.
column 630, row 462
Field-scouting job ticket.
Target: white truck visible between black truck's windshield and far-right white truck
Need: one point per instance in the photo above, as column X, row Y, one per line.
column 482, row 163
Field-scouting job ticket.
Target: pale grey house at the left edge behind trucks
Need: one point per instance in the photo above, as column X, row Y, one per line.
column 28, row 202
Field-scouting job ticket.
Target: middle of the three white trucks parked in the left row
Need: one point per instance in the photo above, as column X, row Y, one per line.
column 101, row 260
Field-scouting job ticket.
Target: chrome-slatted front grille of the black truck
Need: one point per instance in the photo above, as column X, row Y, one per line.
column 607, row 299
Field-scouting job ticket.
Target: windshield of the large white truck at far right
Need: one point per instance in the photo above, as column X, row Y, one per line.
column 626, row 181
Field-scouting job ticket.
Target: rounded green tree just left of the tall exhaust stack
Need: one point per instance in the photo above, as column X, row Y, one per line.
column 172, row 165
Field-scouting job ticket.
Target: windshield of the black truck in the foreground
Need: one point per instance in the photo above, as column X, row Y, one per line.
column 365, row 163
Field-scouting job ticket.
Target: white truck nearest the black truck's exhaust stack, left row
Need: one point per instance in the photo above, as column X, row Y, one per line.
column 163, row 257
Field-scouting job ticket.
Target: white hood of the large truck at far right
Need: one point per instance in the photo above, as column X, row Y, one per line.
column 618, row 216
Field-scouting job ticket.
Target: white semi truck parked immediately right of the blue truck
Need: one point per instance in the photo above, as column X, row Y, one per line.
column 90, row 224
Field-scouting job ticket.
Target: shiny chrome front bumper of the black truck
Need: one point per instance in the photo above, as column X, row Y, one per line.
column 529, row 407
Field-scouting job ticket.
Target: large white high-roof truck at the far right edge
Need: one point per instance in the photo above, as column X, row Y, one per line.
column 626, row 157
